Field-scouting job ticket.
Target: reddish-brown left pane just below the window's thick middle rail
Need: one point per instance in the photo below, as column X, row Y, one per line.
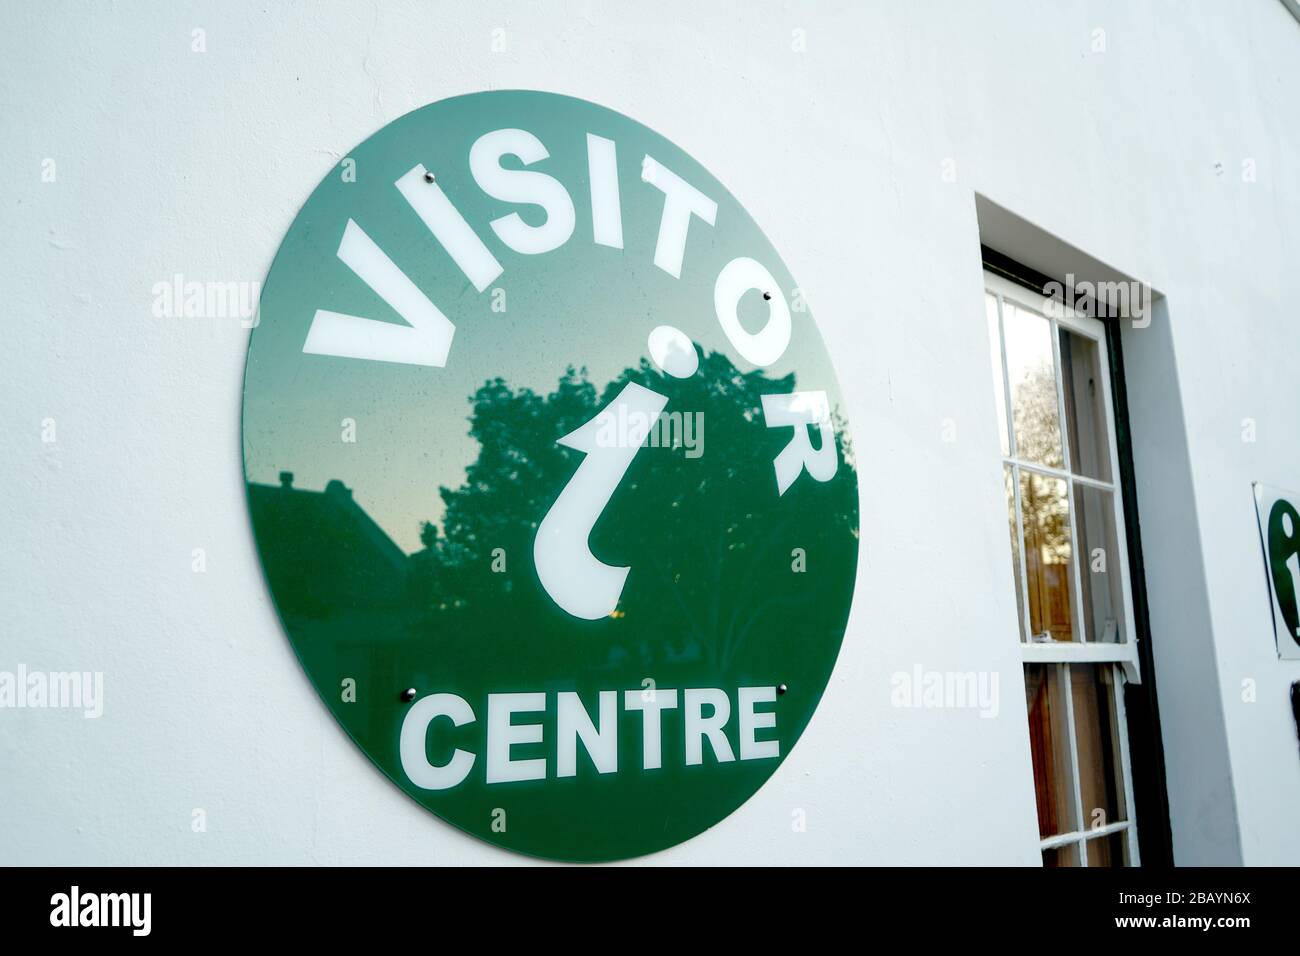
column 1050, row 745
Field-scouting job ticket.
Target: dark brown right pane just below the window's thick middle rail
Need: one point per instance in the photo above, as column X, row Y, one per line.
column 1100, row 786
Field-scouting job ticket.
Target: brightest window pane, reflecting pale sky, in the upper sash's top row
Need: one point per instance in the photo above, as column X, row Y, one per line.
column 1032, row 375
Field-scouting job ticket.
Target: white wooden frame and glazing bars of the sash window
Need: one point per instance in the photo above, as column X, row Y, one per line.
column 1121, row 655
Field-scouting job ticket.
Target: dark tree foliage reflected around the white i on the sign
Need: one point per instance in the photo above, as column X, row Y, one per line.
column 709, row 540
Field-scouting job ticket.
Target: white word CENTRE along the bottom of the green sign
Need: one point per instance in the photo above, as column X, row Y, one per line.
column 519, row 721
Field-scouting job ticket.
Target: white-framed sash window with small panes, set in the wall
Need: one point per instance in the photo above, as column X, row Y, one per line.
column 1071, row 569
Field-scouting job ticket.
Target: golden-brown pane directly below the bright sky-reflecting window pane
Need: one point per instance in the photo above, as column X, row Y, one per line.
column 1048, row 565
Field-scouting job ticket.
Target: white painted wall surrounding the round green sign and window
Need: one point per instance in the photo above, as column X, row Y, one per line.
column 196, row 163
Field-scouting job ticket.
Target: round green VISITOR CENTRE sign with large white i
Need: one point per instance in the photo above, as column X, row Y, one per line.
column 549, row 475
